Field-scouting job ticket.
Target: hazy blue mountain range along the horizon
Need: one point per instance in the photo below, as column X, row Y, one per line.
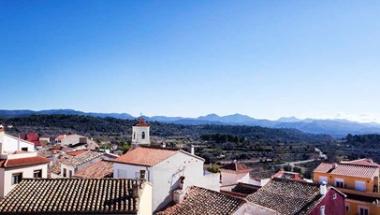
column 333, row 127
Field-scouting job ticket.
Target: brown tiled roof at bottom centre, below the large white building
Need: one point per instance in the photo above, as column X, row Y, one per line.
column 199, row 201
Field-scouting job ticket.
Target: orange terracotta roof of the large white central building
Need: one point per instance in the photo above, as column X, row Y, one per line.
column 146, row 156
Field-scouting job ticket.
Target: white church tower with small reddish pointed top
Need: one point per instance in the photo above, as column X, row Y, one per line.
column 140, row 133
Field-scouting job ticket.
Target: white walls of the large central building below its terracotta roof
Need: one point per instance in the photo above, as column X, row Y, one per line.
column 165, row 176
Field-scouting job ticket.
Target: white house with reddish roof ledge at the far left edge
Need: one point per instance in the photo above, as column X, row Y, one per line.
column 18, row 160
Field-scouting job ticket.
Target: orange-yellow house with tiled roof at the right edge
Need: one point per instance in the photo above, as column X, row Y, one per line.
column 358, row 179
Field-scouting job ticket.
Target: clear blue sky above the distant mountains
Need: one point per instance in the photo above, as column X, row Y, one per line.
column 266, row 59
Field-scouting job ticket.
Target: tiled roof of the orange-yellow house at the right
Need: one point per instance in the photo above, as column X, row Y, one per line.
column 349, row 169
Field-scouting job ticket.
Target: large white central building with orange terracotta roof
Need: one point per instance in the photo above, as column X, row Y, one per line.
column 166, row 169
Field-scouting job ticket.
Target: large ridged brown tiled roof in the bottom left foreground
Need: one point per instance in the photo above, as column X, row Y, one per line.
column 71, row 196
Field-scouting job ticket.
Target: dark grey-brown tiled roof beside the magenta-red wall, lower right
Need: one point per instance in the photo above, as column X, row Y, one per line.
column 286, row 196
